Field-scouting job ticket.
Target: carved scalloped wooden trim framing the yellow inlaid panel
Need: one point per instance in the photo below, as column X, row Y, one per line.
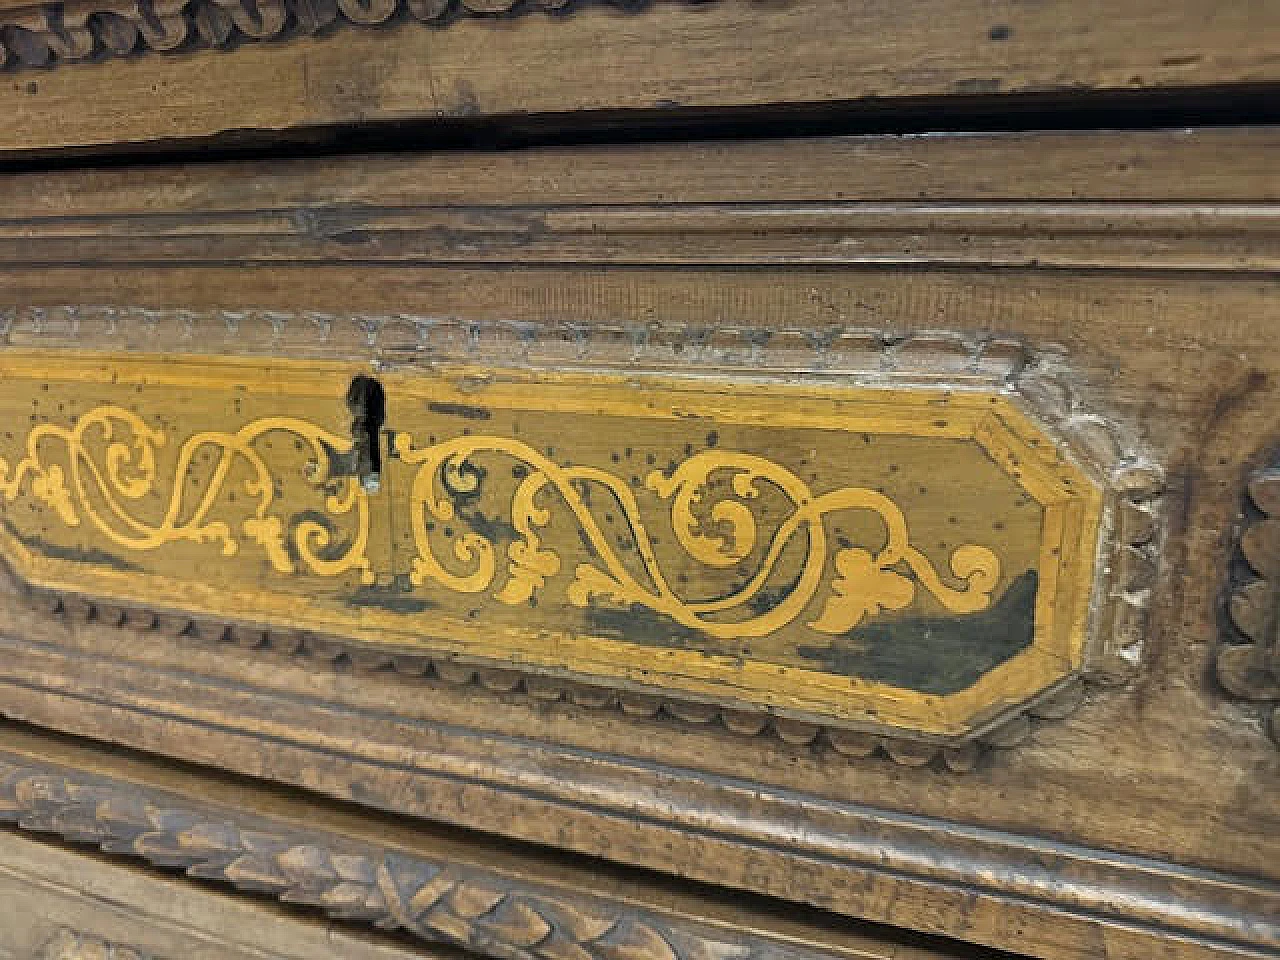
column 1128, row 548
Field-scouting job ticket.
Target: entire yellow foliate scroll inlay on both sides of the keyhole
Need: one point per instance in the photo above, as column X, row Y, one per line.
column 95, row 470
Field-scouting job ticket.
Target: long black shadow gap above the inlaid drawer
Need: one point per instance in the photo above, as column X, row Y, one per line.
column 1067, row 111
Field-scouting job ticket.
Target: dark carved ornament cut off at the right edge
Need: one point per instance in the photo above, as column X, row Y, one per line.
column 1249, row 664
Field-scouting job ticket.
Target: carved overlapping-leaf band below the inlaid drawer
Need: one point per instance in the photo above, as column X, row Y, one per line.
column 433, row 900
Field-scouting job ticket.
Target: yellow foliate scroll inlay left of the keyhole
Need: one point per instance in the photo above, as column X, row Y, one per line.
column 102, row 468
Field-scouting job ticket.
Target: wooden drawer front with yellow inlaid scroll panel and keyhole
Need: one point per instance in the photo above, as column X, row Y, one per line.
column 710, row 510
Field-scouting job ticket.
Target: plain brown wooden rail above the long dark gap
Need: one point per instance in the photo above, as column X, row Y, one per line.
column 602, row 58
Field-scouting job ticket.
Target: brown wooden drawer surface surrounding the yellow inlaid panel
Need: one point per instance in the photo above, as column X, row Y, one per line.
column 1164, row 771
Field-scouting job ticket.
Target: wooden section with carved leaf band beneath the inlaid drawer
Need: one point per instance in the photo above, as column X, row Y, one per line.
column 437, row 888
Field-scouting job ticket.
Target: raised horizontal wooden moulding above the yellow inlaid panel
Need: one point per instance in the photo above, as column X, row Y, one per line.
column 1165, row 236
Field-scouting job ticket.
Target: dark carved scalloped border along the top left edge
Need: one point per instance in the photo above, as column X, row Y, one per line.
column 51, row 35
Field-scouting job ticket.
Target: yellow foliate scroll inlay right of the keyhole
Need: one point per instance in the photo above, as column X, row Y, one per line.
column 865, row 584
